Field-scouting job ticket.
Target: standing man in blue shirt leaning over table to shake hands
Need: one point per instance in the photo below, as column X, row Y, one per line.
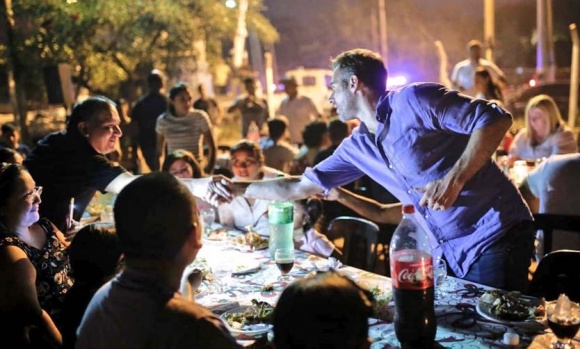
column 430, row 147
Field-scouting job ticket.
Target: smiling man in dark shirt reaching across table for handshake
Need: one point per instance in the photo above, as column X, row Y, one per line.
column 72, row 163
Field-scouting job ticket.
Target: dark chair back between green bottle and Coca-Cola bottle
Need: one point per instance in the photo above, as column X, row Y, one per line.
column 359, row 239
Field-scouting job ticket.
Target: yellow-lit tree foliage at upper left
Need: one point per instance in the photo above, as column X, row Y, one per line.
column 111, row 43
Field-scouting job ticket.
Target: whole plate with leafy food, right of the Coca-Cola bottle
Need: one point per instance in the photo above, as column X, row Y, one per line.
column 510, row 308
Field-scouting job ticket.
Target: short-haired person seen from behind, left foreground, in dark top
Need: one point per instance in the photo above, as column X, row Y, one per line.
column 159, row 234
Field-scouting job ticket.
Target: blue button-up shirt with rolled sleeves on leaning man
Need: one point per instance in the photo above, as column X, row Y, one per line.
column 423, row 130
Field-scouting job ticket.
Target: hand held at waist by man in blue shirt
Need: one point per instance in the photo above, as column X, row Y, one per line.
column 440, row 194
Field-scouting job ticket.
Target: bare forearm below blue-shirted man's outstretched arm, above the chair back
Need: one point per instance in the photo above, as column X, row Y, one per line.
column 367, row 207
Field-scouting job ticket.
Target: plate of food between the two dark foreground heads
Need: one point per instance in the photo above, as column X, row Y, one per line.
column 250, row 320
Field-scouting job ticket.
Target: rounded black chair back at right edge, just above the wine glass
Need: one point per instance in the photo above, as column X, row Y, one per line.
column 558, row 272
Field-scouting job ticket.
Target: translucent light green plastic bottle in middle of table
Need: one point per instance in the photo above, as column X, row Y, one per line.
column 281, row 225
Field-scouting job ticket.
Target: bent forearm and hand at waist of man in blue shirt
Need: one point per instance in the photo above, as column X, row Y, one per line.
column 442, row 193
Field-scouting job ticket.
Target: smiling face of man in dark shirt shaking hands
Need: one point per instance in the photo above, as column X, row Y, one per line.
column 104, row 131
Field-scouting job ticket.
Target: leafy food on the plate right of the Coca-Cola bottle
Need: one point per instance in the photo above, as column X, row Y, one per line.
column 510, row 306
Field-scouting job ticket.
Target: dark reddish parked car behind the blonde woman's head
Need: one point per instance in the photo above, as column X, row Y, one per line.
column 559, row 90
